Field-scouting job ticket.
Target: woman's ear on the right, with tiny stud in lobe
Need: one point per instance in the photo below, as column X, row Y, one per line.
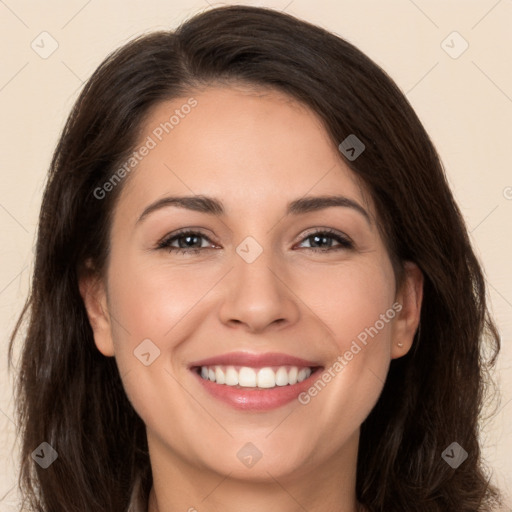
column 410, row 297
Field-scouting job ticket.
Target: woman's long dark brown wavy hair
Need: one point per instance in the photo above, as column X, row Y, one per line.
column 72, row 397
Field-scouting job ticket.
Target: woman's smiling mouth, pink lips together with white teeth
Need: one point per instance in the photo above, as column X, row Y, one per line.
column 257, row 382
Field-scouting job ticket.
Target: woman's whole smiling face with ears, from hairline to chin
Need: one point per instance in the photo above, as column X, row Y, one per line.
column 252, row 287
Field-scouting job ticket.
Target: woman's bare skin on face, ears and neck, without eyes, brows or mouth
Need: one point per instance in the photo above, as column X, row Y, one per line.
column 255, row 151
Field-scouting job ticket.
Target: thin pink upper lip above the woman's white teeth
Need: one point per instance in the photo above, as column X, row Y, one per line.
column 254, row 360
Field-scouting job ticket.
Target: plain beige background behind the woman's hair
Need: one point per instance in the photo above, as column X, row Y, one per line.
column 465, row 104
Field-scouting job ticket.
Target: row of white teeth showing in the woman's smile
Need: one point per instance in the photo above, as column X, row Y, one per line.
column 246, row 377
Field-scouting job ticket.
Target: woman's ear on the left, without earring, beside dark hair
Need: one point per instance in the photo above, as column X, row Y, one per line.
column 94, row 295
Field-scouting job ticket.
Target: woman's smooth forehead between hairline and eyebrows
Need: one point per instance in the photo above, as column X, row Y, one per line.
column 257, row 149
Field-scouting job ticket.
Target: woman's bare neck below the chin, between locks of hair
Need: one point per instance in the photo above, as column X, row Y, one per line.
column 327, row 486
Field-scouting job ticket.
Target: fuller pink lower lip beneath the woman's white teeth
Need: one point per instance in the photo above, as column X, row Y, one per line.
column 256, row 399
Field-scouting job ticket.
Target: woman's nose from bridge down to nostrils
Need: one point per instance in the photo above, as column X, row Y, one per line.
column 258, row 295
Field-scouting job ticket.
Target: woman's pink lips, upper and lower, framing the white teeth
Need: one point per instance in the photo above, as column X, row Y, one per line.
column 250, row 398
